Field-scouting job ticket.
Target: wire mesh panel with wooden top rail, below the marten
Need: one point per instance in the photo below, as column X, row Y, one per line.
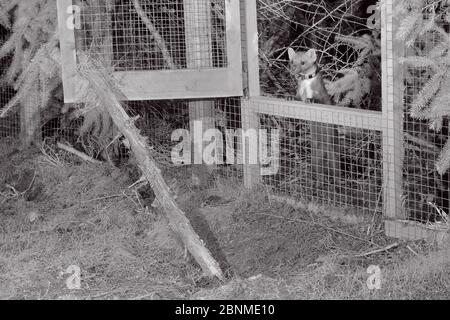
column 316, row 160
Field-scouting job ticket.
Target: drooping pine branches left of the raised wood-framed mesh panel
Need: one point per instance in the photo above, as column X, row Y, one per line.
column 35, row 69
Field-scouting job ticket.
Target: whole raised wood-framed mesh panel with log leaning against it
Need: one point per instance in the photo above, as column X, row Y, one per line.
column 161, row 49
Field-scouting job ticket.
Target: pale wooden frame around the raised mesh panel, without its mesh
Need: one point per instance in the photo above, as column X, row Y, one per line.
column 164, row 84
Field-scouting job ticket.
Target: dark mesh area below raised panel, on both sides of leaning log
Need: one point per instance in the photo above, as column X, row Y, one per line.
column 166, row 124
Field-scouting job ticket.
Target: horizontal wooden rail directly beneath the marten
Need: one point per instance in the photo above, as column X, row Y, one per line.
column 355, row 118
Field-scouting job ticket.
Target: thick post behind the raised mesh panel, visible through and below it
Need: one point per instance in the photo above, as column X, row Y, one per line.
column 197, row 19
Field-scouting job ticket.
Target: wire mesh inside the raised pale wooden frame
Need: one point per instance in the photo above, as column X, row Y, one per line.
column 154, row 35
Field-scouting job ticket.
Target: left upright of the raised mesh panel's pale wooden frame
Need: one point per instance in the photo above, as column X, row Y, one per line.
column 68, row 51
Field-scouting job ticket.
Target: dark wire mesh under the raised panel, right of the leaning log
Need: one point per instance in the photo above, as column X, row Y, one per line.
column 168, row 126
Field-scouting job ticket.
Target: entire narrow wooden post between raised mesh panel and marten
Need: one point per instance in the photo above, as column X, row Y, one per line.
column 249, row 117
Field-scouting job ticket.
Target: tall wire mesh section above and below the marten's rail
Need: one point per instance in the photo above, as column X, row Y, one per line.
column 332, row 165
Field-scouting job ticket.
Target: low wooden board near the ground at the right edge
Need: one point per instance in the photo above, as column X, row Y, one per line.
column 413, row 231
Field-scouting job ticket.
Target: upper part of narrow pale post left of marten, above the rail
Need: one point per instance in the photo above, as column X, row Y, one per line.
column 252, row 49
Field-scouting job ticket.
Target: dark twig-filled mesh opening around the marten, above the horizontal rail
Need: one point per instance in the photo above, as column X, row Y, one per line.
column 334, row 36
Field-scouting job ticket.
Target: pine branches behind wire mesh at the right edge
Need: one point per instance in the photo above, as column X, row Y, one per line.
column 425, row 31
